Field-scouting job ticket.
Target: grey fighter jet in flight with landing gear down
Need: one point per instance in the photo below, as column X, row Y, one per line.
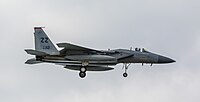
column 85, row 59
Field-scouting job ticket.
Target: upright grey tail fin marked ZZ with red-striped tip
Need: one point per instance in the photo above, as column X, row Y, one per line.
column 43, row 43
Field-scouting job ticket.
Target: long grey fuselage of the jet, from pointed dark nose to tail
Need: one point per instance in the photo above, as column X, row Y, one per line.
column 111, row 57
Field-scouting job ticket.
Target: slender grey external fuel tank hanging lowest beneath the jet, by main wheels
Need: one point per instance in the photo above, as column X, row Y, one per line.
column 89, row 68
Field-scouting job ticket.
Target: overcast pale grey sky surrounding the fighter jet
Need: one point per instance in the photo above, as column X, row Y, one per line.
column 167, row 27
